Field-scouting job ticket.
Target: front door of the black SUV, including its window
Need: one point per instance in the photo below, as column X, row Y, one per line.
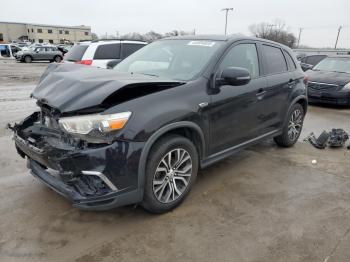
column 233, row 108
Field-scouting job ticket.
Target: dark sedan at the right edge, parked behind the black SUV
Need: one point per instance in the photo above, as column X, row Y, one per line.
column 329, row 81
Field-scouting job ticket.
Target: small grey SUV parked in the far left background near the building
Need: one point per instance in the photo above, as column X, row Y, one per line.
column 40, row 53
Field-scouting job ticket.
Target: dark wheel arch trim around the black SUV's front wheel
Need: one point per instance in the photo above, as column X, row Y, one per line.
column 184, row 128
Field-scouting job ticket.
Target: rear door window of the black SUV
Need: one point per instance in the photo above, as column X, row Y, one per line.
column 275, row 60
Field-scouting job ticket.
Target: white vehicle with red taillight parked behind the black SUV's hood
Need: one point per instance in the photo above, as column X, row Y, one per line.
column 99, row 53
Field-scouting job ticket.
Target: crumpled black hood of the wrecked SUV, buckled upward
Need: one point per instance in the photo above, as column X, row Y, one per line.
column 71, row 87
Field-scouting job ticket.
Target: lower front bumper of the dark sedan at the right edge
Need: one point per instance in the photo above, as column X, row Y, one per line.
column 335, row 98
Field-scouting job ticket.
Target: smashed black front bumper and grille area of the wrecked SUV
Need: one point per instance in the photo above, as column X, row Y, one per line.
column 93, row 170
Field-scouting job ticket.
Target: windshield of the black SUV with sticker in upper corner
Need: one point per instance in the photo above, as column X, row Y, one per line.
column 174, row 59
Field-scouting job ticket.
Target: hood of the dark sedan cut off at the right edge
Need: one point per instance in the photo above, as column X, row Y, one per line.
column 328, row 77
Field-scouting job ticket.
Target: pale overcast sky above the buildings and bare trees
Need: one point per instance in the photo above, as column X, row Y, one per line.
column 319, row 18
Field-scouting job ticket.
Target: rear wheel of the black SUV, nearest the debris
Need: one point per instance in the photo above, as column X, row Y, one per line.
column 292, row 128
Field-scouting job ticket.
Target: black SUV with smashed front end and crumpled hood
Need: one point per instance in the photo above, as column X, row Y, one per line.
column 140, row 132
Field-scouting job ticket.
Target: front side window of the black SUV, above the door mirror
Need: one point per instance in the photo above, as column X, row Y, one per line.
column 242, row 55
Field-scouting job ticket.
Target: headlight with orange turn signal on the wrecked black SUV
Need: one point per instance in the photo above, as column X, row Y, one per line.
column 85, row 124
